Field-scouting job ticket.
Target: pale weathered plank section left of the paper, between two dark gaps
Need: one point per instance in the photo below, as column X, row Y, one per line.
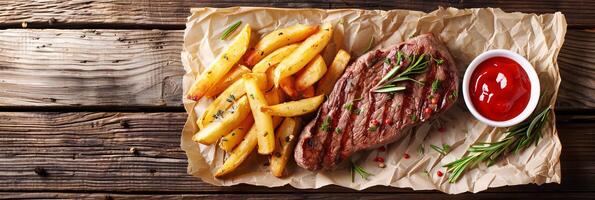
column 90, row 67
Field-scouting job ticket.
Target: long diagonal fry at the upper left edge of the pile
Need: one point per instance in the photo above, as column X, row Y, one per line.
column 221, row 65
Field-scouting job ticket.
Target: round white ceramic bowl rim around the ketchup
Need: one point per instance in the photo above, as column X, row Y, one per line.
column 527, row 67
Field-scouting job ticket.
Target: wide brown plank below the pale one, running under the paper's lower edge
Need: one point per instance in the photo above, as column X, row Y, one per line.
column 91, row 152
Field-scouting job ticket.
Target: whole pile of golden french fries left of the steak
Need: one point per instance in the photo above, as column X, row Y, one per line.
column 260, row 88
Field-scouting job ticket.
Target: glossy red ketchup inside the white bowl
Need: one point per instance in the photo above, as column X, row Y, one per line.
column 499, row 88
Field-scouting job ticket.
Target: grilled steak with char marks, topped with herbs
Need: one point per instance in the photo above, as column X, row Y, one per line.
column 356, row 116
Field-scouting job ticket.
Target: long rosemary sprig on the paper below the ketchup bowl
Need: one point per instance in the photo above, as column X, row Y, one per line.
column 517, row 138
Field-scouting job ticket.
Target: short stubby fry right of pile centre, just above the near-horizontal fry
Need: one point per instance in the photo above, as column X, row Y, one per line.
column 310, row 74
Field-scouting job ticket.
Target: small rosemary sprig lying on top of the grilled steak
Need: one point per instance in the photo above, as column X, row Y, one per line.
column 388, row 83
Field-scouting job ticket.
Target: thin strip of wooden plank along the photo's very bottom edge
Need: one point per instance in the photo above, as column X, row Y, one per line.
column 360, row 195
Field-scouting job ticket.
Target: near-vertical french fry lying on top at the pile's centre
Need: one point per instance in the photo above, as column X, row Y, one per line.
column 263, row 121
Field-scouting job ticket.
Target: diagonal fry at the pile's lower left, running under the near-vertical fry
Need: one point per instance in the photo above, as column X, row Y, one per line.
column 242, row 151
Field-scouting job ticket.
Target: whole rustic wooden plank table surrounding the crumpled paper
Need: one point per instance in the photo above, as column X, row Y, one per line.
column 90, row 101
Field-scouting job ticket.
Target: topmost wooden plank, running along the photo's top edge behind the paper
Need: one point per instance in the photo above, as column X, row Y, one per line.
column 173, row 13
